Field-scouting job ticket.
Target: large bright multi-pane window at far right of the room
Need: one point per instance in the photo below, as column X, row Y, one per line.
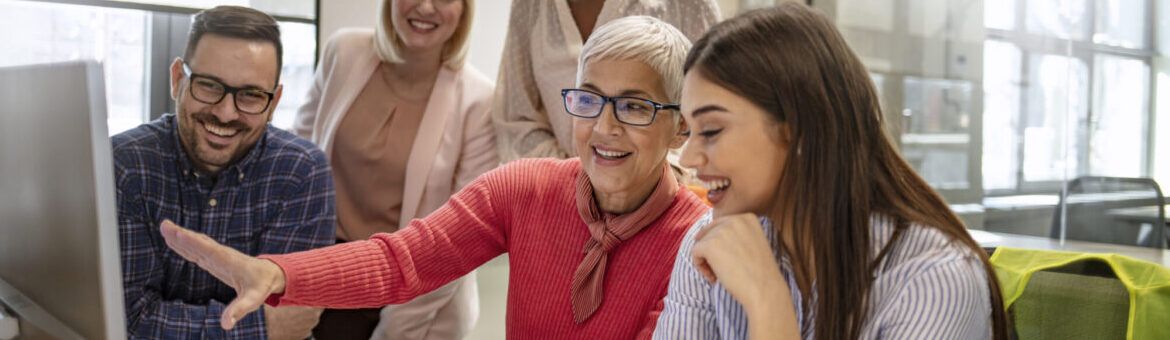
column 1071, row 81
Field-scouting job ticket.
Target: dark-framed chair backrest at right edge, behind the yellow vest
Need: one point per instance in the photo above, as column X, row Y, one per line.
column 1089, row 212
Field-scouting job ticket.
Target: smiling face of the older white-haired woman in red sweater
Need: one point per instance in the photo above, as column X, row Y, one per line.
column 622, row 161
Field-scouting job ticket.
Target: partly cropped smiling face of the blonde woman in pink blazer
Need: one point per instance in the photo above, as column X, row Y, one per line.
column 426, row 25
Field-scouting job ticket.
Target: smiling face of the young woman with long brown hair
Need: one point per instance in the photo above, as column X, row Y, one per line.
column 738, row 149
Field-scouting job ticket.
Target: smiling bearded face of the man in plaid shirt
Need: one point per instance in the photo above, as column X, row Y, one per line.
column 216, row 136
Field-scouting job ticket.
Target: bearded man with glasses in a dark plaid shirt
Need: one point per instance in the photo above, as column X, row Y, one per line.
column 219, row 168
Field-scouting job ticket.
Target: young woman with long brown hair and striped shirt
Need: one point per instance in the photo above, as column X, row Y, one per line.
column 821, row 230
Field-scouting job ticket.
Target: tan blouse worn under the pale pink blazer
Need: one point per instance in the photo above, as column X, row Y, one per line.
column 370, row 152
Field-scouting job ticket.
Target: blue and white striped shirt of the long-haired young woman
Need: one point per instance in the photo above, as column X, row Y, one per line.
column 927, row 288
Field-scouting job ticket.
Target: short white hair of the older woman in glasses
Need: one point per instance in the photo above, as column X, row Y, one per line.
column 641, row 39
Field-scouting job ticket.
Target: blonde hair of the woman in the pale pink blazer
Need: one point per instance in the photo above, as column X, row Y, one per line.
column 388, row 44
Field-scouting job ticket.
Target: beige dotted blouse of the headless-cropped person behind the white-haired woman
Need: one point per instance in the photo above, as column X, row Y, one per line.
column 540, row 59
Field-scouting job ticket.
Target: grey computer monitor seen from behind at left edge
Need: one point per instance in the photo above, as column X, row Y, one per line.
column 60, row 272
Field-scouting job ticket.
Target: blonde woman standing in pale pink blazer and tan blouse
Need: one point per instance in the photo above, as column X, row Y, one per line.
column 405, row 124
